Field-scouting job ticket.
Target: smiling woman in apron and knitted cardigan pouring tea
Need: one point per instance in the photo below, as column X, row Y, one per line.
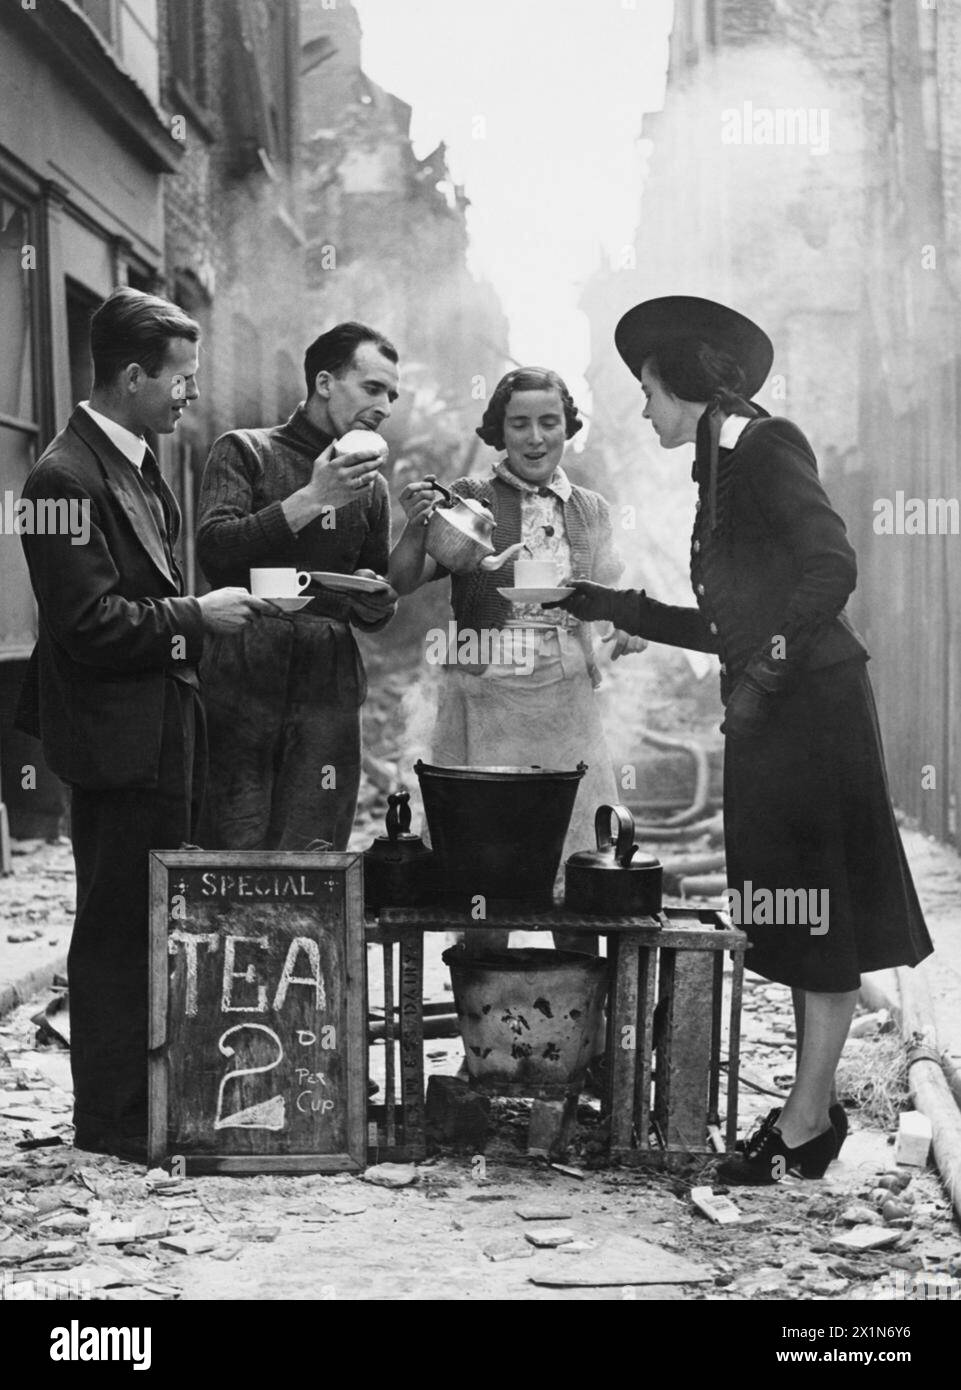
column 532, row 701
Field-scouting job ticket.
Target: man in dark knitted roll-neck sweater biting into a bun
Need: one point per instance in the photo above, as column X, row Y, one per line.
column 284, row 697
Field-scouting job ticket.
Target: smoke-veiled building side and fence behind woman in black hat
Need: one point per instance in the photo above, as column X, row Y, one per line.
column 806, row 170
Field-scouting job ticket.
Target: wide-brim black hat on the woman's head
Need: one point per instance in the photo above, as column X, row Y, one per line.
column 649, row 327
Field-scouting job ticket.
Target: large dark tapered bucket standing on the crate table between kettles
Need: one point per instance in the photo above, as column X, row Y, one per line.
column 499, row 833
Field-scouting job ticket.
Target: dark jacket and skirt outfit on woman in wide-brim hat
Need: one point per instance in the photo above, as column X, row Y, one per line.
column 807, row 804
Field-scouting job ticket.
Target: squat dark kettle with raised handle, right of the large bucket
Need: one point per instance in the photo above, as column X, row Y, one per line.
column 610, row 881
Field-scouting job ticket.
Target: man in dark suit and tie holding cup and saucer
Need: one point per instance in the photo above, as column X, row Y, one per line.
column 112, row 689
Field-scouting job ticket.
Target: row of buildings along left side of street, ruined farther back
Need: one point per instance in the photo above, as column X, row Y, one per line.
column 234, row 156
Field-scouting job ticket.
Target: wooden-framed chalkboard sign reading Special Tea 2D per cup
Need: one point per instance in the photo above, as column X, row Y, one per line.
column 258, row 1018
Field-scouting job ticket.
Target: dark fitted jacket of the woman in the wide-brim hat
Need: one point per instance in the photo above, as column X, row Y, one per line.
column 778, row 565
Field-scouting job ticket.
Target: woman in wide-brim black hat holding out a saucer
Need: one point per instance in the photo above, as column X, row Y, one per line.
column 809, row 824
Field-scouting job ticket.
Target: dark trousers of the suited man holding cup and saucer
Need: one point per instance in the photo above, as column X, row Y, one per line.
column 113, row 835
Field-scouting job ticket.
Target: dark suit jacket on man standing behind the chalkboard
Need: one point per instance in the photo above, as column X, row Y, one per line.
column 111, row 618
